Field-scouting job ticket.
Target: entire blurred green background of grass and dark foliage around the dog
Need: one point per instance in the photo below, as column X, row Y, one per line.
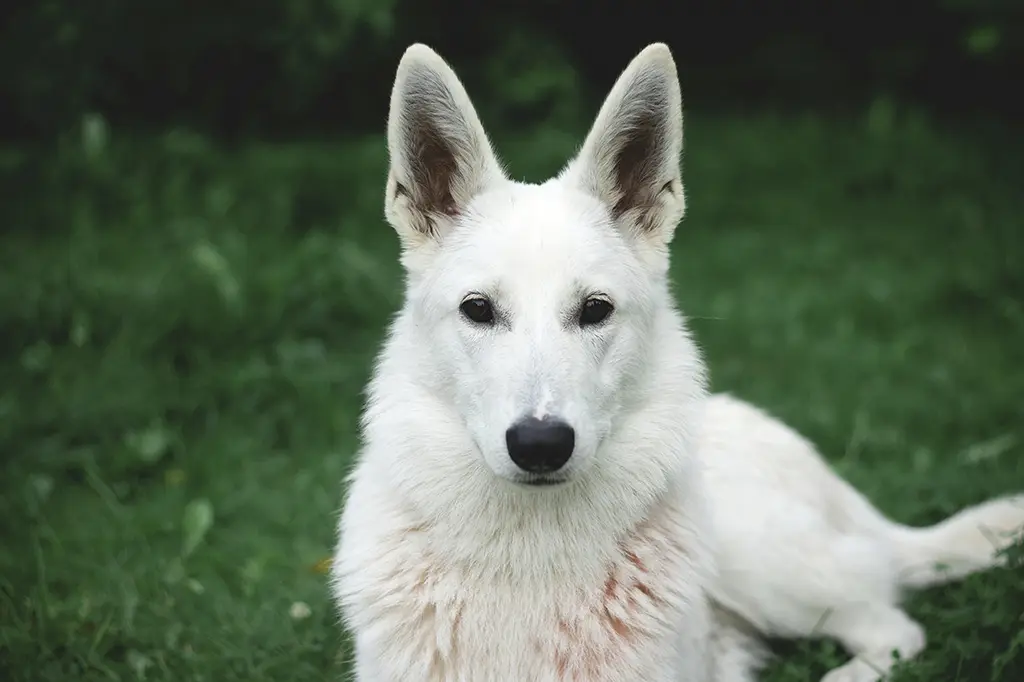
column 195, row 276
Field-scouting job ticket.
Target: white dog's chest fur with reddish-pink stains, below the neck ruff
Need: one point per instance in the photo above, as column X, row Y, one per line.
column 643, row 618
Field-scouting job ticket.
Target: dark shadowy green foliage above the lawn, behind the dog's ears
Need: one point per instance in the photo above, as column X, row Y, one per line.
column 264, row 66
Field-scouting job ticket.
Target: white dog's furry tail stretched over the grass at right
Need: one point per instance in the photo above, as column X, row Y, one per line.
column 968, row 542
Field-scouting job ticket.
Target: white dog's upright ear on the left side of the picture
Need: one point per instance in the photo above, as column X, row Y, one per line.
column 440, row 155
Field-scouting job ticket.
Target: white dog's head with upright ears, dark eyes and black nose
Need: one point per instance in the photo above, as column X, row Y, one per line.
column 537, row 303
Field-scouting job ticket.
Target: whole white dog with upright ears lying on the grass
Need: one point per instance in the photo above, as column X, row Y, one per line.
column 546, row 493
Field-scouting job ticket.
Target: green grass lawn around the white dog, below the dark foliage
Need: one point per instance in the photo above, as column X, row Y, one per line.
column 187, row 331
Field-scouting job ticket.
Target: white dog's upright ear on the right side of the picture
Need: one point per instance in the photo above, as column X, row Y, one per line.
column 631, row 157
